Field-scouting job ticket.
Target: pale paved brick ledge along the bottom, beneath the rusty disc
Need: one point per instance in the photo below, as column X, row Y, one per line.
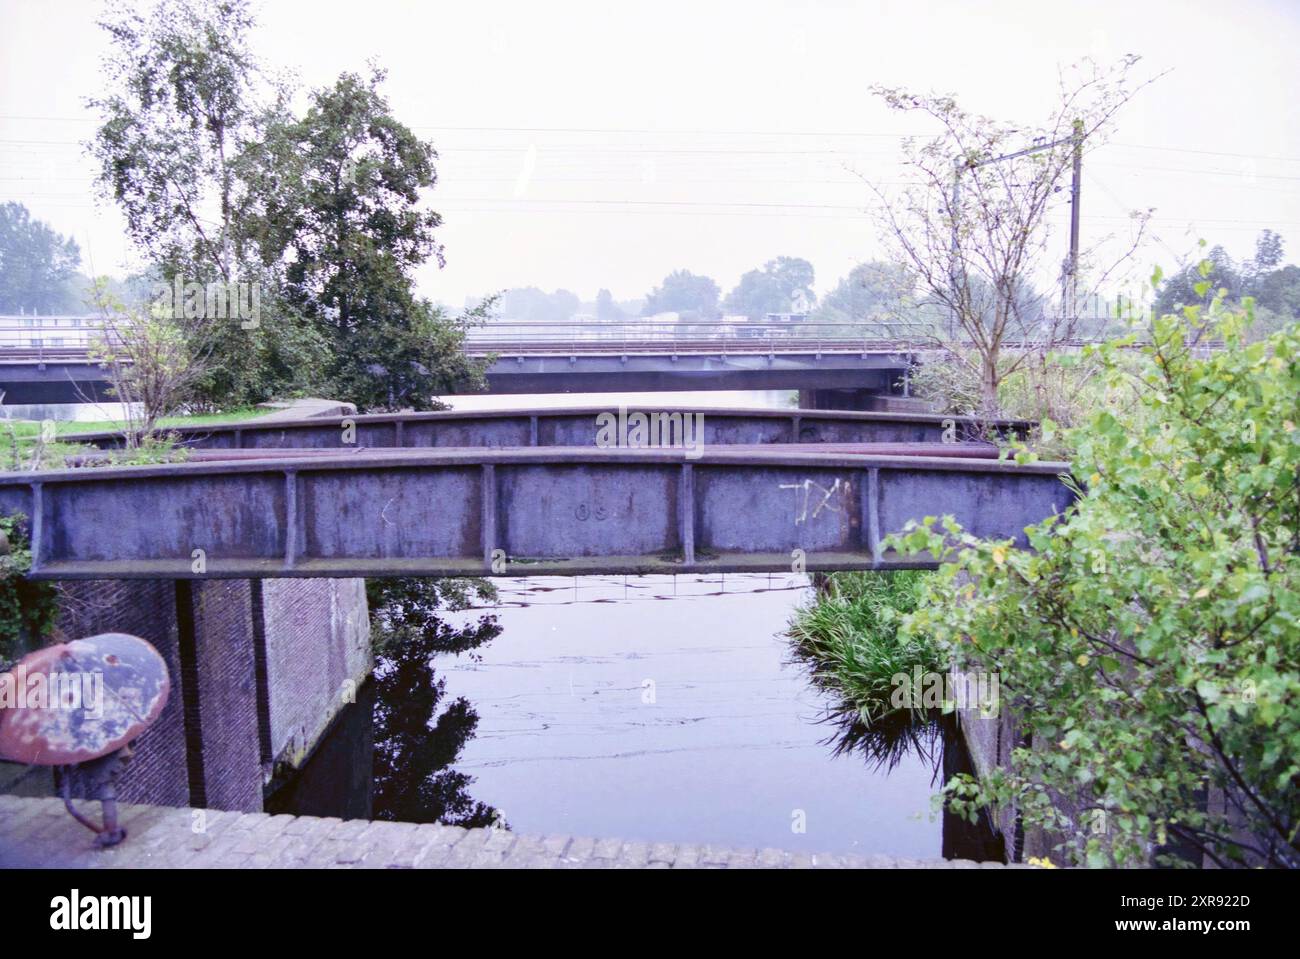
column 41, row 834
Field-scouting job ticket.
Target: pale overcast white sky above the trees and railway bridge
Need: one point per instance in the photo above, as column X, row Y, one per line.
column 604, row 145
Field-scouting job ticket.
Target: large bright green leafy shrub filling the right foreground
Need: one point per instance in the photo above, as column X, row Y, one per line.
column 1150, row 644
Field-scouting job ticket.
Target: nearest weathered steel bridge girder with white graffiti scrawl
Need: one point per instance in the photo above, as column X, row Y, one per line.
column 512, row 513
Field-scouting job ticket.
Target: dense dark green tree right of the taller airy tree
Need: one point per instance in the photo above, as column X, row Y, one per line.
column 336, row 210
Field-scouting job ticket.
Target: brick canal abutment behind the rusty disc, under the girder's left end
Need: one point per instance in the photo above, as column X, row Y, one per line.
column 259, row 670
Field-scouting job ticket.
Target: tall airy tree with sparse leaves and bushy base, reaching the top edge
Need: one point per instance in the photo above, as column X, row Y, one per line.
column 185, row 112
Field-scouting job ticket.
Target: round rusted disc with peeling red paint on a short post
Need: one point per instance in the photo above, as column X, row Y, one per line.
column 81, row 701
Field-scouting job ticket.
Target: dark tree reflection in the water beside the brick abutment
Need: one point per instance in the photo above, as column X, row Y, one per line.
column 419, row 736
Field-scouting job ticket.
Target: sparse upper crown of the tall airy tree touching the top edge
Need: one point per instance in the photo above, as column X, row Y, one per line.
column 183, row 105
